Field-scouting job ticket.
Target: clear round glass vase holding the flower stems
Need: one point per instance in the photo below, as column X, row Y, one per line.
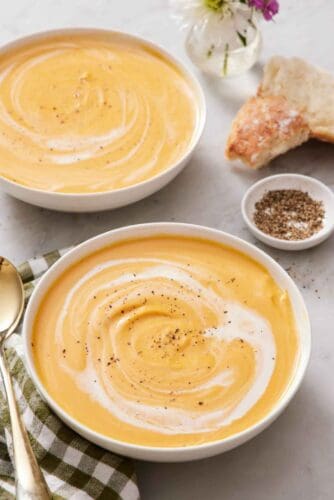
column 226, row 44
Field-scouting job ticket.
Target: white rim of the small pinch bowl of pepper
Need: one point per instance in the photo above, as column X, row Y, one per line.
column 316, row 238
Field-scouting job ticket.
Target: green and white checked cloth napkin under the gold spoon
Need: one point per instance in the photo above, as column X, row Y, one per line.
column 73, row 467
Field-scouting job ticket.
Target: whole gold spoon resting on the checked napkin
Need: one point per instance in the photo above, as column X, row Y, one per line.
column 30, row 483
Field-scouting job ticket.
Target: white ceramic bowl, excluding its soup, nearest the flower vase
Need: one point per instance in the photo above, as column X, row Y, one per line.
column 93, row 202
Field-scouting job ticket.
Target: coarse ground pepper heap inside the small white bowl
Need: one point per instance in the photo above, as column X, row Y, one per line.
column 289, row 214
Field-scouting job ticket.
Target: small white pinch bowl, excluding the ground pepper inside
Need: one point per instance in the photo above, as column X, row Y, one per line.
column 315, row 188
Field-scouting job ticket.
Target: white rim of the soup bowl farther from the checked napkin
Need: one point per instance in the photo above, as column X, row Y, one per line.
column 181, row 65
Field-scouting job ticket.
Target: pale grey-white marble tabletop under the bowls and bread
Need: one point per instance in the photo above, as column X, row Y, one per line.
column 295, row 457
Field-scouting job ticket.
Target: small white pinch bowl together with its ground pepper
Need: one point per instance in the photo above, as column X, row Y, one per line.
column 289, row 211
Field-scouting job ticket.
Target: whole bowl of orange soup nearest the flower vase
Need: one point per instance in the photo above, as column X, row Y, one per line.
column 93, row 119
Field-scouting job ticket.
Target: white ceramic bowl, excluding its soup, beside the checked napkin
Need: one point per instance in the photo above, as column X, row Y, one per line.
column 176, row 454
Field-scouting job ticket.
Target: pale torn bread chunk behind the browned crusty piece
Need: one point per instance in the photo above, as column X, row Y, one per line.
column 309, row 89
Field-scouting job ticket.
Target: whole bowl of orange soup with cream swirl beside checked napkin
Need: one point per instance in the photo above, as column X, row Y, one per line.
column 167, row 341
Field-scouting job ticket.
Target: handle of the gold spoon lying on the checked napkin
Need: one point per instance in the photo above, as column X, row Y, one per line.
column 30, row 482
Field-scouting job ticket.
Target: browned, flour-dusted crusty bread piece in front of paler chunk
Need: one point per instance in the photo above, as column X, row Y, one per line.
column 264, row 128
